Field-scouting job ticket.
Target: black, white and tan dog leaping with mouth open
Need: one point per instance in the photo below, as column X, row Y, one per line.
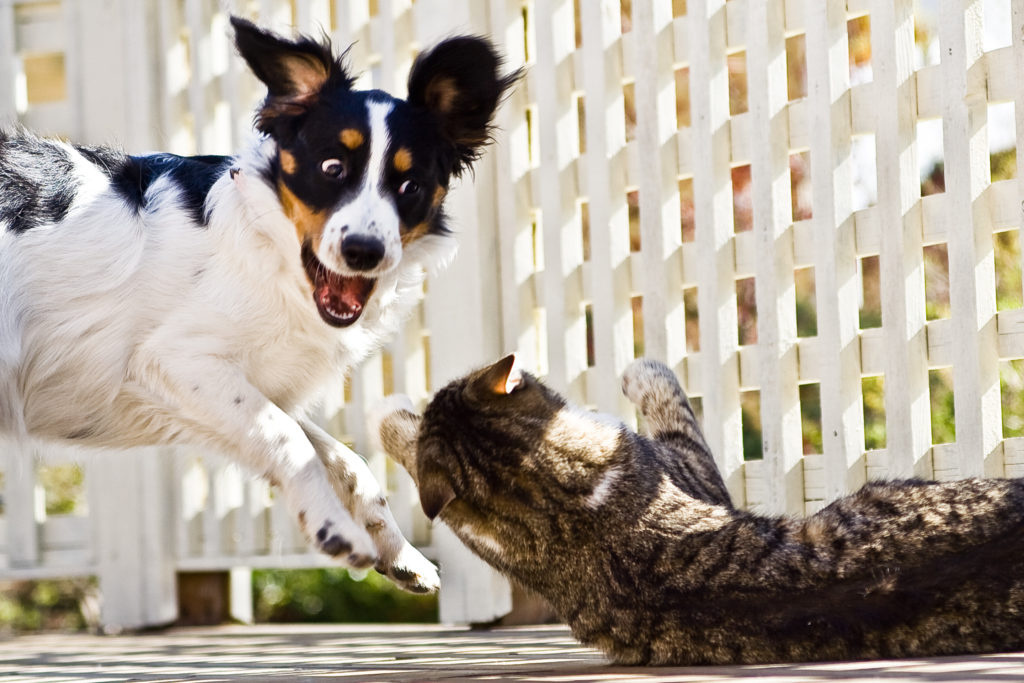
column 208, row 301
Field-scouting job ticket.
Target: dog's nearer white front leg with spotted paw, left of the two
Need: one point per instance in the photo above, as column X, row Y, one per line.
column 229, row 411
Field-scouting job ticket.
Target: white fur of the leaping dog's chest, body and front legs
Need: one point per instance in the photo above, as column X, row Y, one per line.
column 120, row 329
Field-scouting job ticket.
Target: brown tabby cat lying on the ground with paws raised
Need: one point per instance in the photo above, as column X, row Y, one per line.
column 635, row 542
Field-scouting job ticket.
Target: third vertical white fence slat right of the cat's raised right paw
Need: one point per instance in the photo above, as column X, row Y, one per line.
column 837, row 283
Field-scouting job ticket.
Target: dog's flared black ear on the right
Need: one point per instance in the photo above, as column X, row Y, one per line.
column 458, row 81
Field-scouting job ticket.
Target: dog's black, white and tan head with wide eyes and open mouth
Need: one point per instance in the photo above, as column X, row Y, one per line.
column 363, row 175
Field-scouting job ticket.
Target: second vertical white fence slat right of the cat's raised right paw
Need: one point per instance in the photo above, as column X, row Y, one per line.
column 776, row 291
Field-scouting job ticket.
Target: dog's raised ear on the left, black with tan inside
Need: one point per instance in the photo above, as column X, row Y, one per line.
column 295, row 72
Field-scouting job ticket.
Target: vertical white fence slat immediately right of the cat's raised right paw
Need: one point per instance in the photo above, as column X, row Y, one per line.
column 714, row 228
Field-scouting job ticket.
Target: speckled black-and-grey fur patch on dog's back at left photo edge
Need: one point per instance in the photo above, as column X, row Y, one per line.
column 37, row 183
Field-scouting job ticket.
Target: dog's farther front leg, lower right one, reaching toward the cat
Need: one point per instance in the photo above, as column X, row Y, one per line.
column 361, row 493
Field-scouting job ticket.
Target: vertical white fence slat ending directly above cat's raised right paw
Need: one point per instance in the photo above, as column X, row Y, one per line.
column 664, row 315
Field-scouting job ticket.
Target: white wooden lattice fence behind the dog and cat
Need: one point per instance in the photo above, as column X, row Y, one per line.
column 673, row 178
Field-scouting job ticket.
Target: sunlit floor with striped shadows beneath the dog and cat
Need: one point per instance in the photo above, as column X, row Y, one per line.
column 413, row 654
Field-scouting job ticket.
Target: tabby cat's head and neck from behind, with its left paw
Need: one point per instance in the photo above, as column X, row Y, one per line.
column 499, row 455
